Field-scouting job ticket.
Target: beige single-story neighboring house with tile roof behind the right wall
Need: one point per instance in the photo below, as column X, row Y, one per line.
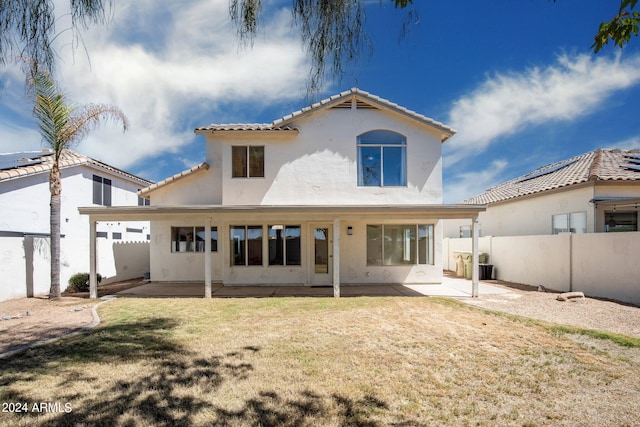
column 597, row 191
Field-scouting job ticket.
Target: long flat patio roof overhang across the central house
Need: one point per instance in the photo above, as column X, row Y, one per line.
column 146, row 213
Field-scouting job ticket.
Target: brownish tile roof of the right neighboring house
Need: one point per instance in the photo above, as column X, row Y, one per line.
column 598, row 165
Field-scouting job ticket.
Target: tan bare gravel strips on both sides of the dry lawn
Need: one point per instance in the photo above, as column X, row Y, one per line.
column 26, row 321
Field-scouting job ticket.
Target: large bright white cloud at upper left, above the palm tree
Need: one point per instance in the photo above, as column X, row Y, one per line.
column 166, row 64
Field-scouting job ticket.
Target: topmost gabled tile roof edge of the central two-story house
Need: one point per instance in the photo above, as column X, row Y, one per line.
column 364, row 100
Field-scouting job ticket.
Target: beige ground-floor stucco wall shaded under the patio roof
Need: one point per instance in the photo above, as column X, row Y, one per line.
column 189, row 266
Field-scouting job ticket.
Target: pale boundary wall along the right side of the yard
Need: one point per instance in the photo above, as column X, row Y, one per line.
column 604, row 265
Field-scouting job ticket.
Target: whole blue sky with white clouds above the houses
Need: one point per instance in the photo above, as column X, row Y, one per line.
column 516, row 79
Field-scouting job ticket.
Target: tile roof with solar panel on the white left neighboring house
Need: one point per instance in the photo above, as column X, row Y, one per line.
column 36, row 162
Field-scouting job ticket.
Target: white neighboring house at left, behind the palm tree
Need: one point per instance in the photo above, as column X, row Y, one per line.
column 25, row 196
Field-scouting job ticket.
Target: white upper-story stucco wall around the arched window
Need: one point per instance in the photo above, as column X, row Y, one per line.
column 318, row 166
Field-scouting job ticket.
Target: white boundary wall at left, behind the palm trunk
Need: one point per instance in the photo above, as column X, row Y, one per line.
column 25, row 263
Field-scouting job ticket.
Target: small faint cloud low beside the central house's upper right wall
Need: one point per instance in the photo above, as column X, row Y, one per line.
column 469, row 184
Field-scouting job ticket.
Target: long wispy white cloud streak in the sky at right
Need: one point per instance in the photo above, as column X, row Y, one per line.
column 508, row 103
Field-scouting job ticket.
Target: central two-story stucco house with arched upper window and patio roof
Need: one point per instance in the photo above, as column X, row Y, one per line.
column 347, row 190
